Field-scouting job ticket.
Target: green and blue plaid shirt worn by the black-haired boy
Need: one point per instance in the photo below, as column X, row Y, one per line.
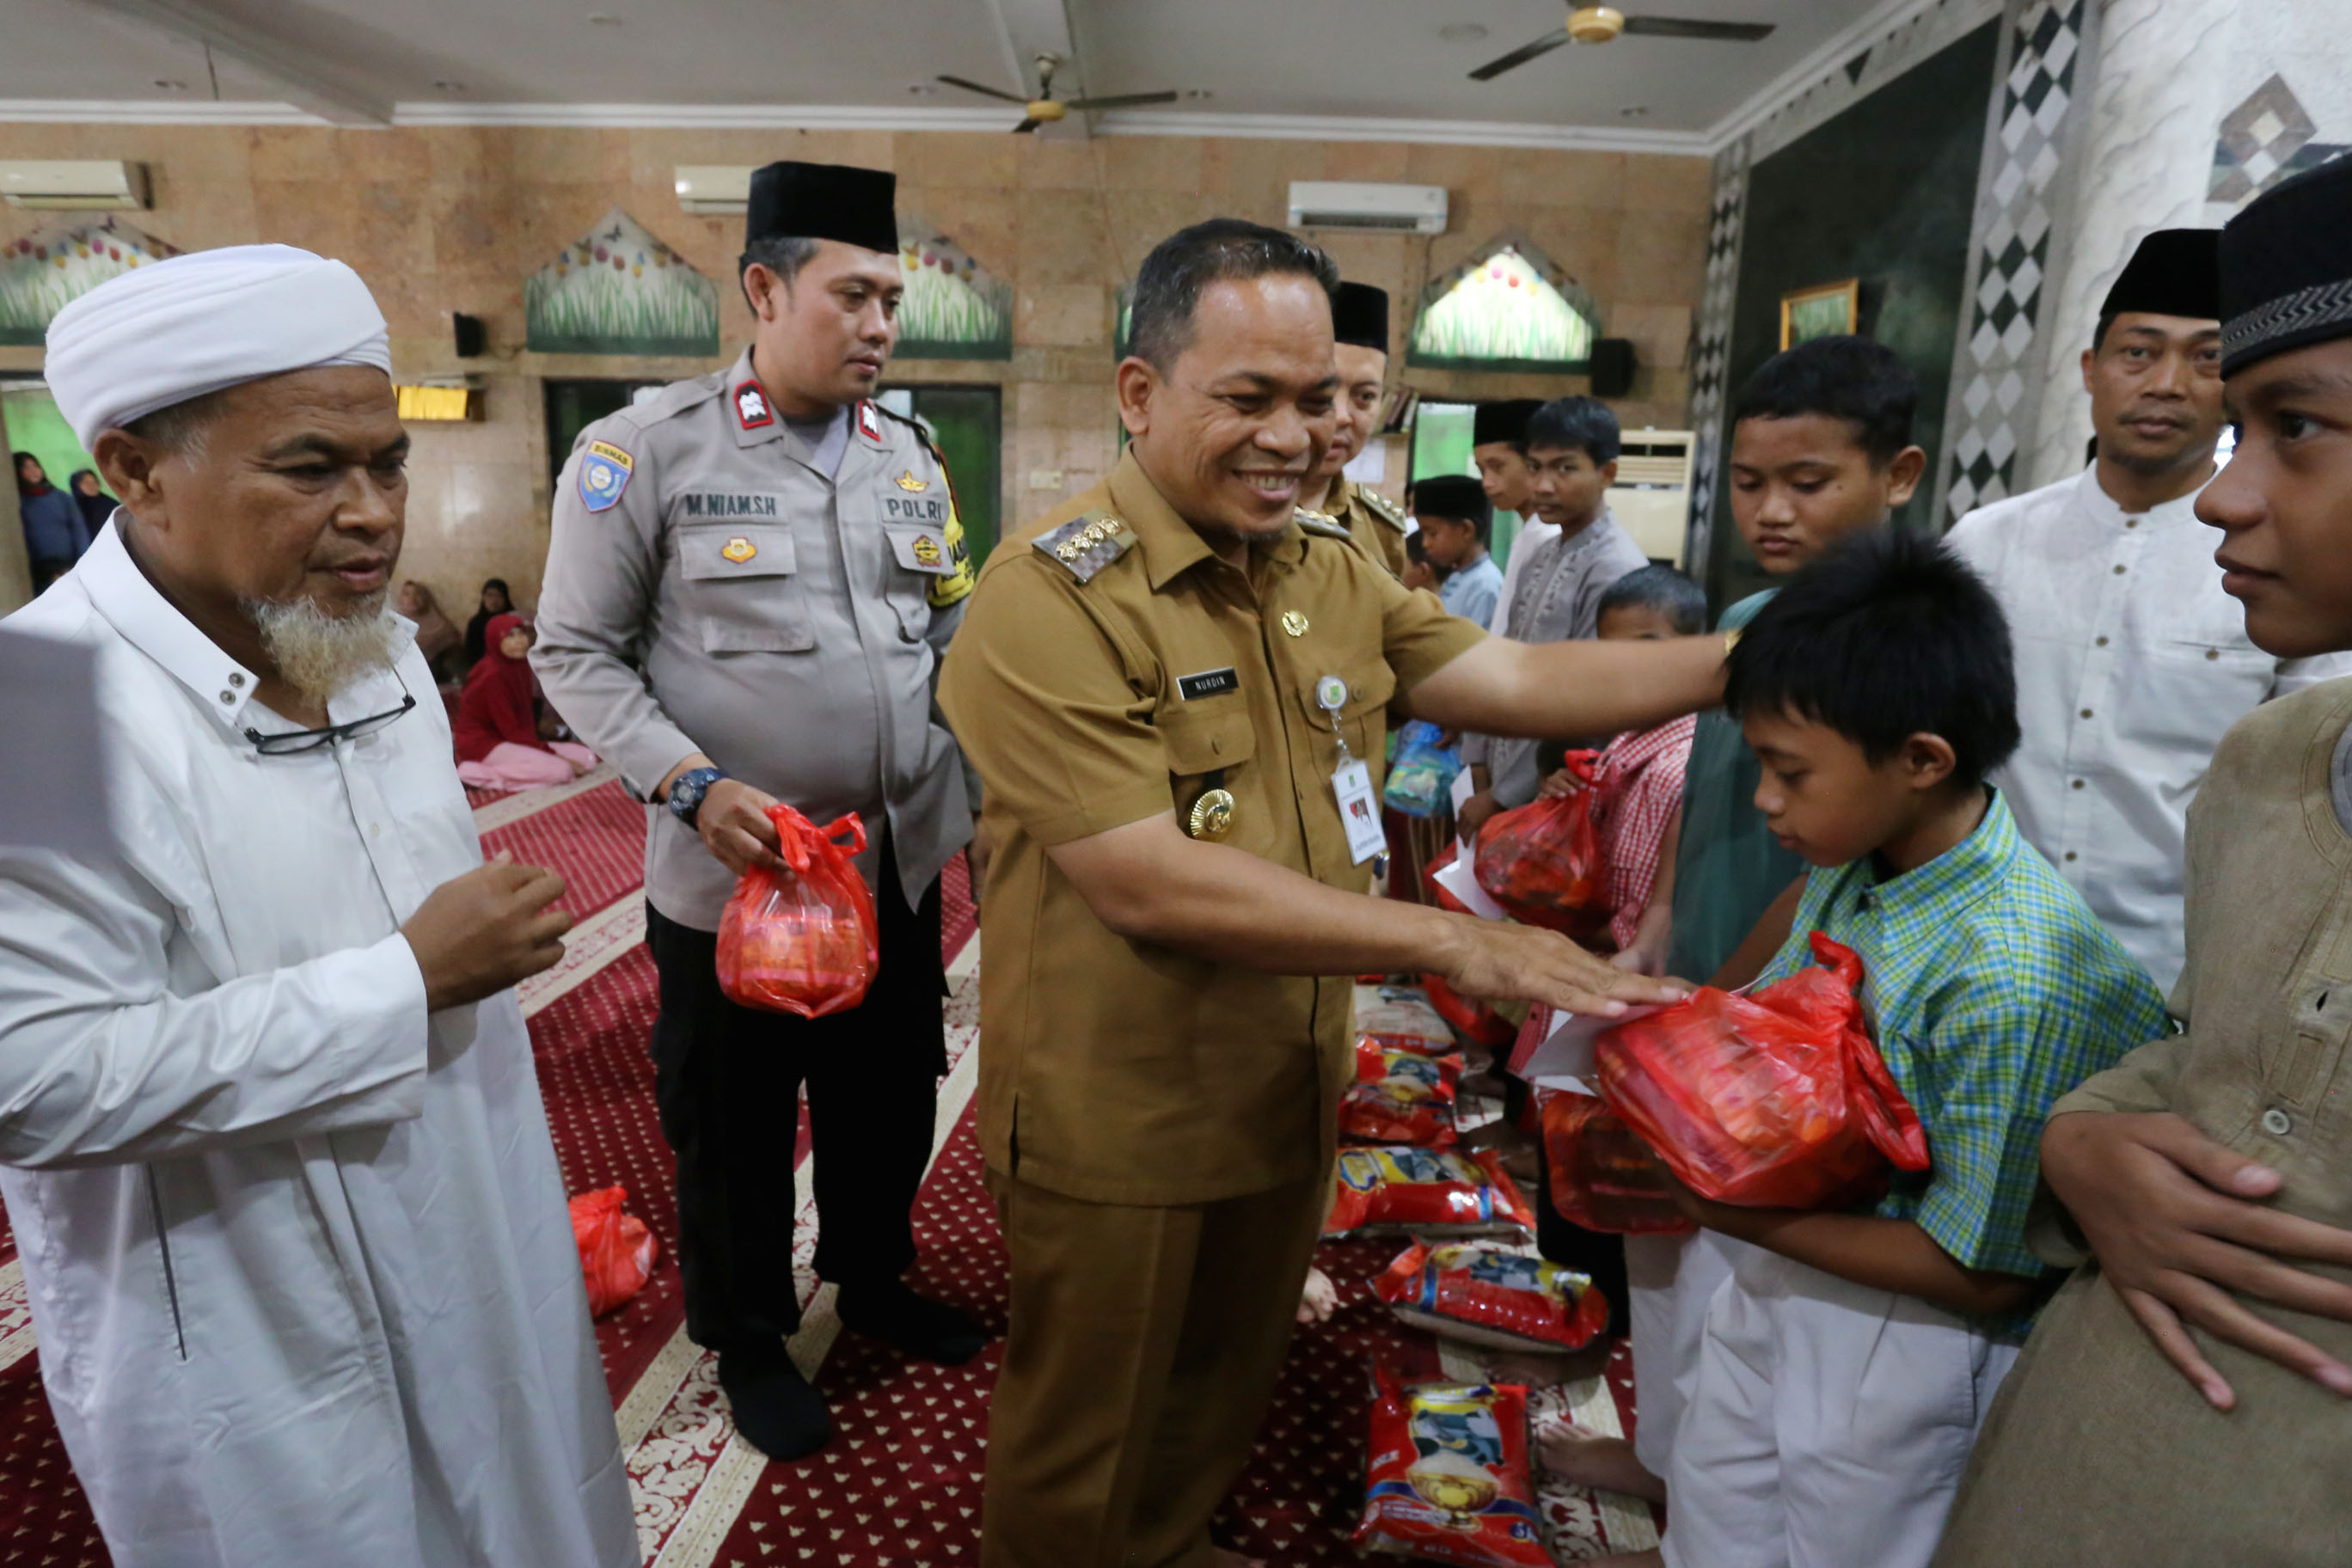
column 1991, row 991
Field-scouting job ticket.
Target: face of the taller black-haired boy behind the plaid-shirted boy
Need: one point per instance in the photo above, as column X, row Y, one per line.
column 1803, row 483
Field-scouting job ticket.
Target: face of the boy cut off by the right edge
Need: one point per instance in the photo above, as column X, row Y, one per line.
column 2285, row 502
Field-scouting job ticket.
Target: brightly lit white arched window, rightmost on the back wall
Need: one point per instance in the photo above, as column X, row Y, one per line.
column 1506, row 309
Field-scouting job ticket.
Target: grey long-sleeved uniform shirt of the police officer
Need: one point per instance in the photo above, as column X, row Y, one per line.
column 711, row 591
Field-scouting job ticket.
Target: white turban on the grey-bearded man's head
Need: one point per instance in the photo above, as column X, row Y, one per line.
column 192, row 326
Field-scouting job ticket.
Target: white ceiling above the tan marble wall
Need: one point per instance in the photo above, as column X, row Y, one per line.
column 1356, row 60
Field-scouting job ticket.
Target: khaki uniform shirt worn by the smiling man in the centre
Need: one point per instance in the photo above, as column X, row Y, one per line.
column 1114, row 669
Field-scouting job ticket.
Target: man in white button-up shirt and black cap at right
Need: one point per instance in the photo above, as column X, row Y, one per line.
column 2132, row 659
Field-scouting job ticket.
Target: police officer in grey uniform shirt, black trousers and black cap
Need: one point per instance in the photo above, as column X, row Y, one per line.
column 749, row 589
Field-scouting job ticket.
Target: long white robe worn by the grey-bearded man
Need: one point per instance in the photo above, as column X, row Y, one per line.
column 298, row 1249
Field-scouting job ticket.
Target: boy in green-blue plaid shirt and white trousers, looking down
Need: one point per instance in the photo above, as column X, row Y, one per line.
column 1850, row 1360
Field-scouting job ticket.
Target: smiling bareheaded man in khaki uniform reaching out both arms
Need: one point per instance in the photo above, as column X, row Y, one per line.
column 1177, row 690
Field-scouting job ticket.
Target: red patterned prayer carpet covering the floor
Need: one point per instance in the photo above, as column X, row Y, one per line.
column 900, row 1487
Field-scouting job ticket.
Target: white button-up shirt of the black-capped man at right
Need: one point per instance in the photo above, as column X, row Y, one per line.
column 2132, row 666
